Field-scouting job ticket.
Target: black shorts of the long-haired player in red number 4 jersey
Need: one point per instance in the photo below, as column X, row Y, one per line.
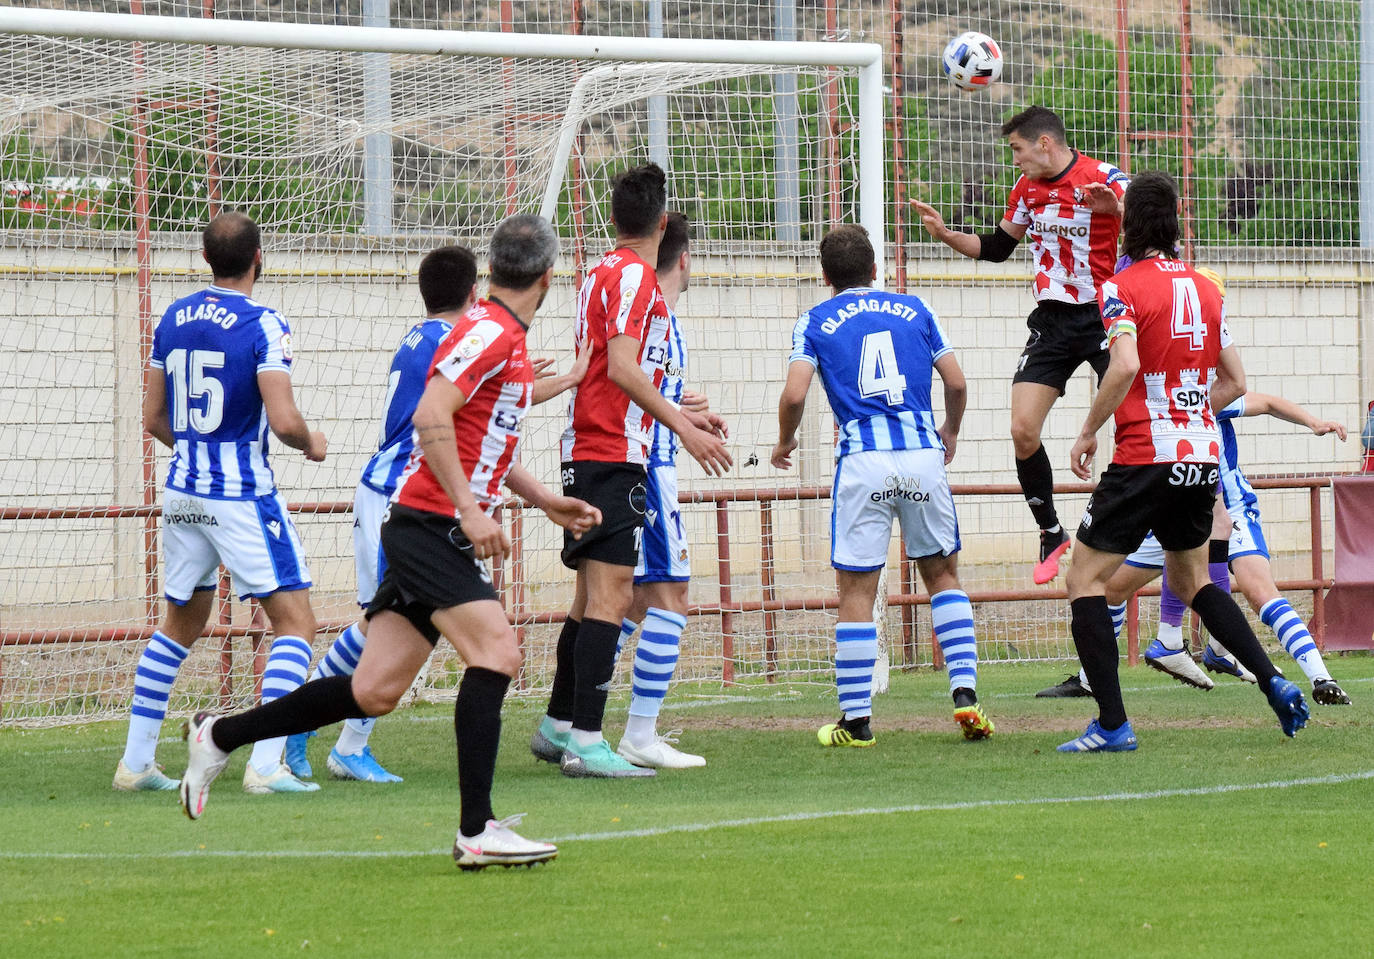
column 1173, row 499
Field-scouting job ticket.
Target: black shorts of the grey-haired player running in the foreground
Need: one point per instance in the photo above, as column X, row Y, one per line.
column 429, row 567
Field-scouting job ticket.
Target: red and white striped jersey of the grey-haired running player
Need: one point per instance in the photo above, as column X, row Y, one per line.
column 484, row 357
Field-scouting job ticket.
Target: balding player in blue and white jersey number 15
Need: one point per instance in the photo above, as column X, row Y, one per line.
column 219, row 381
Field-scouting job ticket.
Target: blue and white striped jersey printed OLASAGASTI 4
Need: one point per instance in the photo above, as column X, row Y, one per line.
column 876, row 354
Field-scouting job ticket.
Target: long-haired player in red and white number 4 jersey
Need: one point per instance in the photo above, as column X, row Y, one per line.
column 1170, row 354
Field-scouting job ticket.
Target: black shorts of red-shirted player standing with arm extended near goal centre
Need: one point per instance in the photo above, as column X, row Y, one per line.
column 618, row 490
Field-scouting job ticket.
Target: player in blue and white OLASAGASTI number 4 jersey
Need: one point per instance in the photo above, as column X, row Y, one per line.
column 876, row 354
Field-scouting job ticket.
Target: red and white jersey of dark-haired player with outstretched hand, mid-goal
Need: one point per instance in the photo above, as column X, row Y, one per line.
column 619, row 297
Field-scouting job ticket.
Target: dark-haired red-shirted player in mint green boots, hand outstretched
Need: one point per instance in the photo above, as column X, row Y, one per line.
column 623, row 319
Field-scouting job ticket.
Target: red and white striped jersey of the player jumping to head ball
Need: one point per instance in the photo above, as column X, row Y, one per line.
column 1074, row 248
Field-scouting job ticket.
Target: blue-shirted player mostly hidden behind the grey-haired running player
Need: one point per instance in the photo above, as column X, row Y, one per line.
column 447, row 281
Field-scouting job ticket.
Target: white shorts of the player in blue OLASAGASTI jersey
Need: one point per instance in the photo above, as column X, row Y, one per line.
column 876, row 487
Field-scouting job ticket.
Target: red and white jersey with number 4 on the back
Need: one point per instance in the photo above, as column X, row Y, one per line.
column 1180, row 326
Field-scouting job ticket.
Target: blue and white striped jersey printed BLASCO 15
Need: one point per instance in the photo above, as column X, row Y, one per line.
column 211, row 347
